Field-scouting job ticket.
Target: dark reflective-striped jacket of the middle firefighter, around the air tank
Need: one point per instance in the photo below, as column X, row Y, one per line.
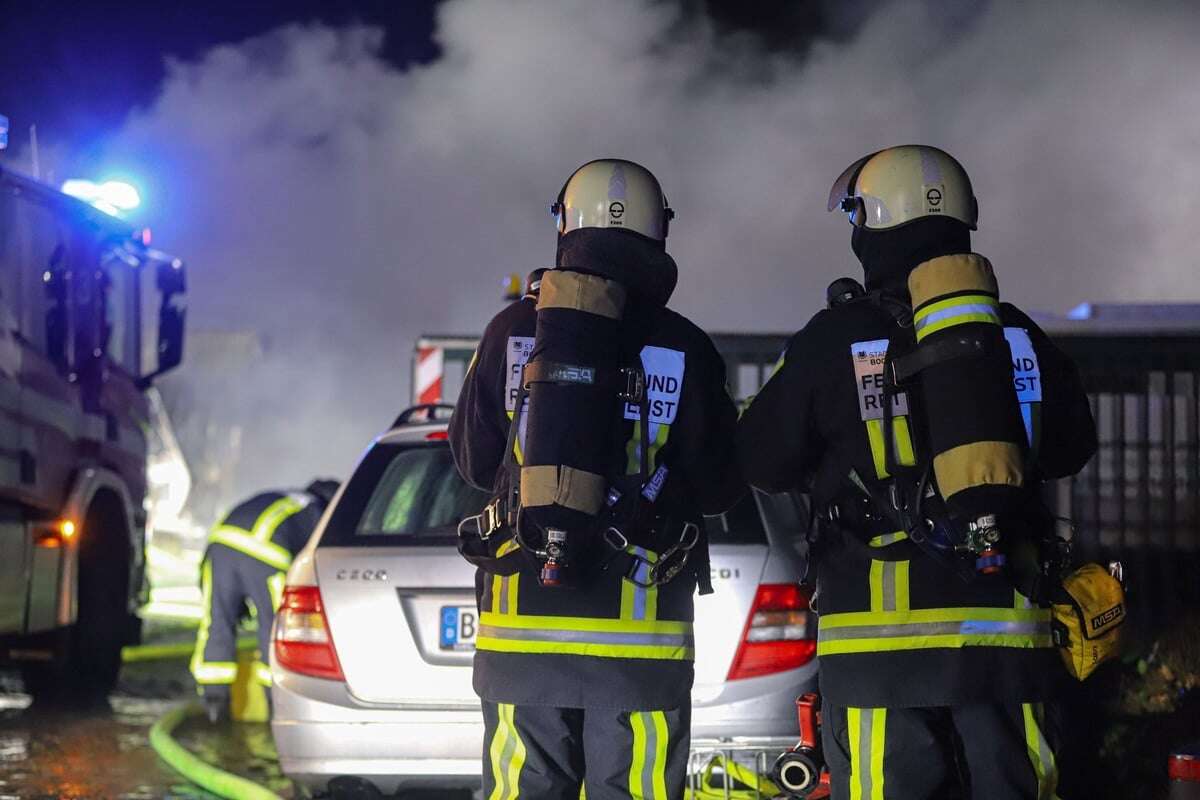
column 607, row 643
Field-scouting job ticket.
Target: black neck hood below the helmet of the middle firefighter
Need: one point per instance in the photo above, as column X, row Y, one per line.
column 639, row 263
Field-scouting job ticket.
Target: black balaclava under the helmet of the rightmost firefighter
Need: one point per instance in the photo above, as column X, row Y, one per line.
column 890, row 256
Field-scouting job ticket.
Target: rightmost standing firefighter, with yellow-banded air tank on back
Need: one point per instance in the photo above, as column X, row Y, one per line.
column 923, row 416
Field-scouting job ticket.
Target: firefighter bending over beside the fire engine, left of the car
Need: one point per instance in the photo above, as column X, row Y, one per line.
column 248, row 557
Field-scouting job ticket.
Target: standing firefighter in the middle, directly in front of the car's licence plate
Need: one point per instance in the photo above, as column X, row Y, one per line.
column 599, row 420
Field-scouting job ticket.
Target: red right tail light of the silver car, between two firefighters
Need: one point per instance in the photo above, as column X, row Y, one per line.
column 779, row 634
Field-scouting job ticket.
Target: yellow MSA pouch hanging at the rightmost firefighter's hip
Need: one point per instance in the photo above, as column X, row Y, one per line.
column 1088, row 618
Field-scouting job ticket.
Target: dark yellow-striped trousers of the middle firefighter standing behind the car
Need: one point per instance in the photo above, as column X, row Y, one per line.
column 550, row 754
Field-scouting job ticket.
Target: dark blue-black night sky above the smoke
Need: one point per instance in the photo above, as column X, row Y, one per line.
column 76, row 70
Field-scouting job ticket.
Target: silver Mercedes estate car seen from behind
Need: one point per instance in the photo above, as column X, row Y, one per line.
column 374, row 641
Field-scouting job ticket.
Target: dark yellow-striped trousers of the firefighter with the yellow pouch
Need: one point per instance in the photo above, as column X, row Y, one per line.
column 994, row 751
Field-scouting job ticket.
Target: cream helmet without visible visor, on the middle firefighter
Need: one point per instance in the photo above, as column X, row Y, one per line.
column 614, row 194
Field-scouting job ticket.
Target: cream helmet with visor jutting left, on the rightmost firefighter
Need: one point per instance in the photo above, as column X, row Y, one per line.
column 895, row 187
